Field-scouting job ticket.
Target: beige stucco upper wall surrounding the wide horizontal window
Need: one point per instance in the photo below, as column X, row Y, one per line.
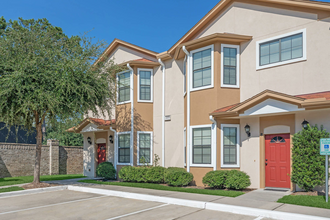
column 298, row 78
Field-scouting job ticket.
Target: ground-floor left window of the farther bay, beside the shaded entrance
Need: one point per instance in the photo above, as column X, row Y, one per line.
column 124, row 148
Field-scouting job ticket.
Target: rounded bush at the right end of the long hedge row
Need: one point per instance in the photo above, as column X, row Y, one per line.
column 178, row 177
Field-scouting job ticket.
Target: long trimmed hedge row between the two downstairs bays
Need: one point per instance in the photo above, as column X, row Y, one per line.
column 173, row 176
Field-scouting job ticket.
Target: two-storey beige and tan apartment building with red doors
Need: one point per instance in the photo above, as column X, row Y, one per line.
column 229, row 94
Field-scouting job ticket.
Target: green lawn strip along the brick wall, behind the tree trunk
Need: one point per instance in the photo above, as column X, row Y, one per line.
column 28, row 179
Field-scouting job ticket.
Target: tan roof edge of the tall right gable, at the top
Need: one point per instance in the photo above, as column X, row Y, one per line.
column 223, row 4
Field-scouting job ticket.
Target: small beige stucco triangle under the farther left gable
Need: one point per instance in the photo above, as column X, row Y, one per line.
column 123, row 54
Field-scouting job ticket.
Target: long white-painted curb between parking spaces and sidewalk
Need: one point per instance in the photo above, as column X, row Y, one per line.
column 199, row 204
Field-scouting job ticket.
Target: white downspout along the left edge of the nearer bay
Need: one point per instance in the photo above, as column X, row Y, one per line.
column 188, row 106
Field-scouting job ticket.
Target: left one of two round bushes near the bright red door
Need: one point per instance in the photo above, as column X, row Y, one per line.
column 216, row 179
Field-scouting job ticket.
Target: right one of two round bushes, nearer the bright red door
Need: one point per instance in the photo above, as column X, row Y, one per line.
column 237, row 180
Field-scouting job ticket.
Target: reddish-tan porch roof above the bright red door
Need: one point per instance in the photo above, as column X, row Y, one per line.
column 307, row 101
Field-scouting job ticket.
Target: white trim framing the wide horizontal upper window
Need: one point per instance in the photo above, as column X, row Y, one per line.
column 304, row 57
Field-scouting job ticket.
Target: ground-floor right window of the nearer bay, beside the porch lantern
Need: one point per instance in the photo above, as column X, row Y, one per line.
column 230, row 145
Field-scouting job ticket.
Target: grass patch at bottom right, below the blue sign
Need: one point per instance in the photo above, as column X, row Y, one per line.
column 304, row 200
